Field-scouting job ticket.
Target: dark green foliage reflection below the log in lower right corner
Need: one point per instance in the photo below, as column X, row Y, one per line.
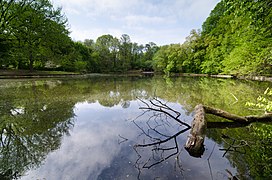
column 249, row 149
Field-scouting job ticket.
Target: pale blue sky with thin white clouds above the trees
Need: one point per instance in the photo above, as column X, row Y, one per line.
column 159, row 21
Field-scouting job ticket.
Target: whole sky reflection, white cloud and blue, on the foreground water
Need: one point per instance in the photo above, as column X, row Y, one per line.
column 92, row 150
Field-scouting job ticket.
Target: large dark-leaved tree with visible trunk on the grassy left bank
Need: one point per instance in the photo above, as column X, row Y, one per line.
column 40, row 26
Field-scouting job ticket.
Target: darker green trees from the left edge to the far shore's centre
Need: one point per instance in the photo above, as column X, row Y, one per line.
column 34, row 35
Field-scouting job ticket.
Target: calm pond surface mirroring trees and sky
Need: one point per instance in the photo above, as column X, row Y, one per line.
column 98, row 127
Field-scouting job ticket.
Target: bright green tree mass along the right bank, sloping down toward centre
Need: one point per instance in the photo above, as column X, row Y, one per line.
column 235, row 39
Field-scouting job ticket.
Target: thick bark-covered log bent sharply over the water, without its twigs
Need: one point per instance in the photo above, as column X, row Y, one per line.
column 195, row 142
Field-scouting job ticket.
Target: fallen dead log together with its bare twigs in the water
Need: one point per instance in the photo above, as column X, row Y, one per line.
column 165, row 116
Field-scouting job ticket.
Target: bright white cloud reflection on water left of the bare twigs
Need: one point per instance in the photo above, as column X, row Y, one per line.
column 90, row 148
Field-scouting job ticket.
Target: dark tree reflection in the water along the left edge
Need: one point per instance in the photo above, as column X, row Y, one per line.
column 31, row 126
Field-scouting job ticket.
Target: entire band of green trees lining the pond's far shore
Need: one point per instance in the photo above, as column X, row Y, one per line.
column 234, row 39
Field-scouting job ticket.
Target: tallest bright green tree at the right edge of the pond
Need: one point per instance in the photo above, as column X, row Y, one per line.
column 236, row 35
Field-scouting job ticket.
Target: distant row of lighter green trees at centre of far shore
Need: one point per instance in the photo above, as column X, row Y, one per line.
column 110, row 54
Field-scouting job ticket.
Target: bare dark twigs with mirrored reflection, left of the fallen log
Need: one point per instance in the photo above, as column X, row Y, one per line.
column 161, row 143
